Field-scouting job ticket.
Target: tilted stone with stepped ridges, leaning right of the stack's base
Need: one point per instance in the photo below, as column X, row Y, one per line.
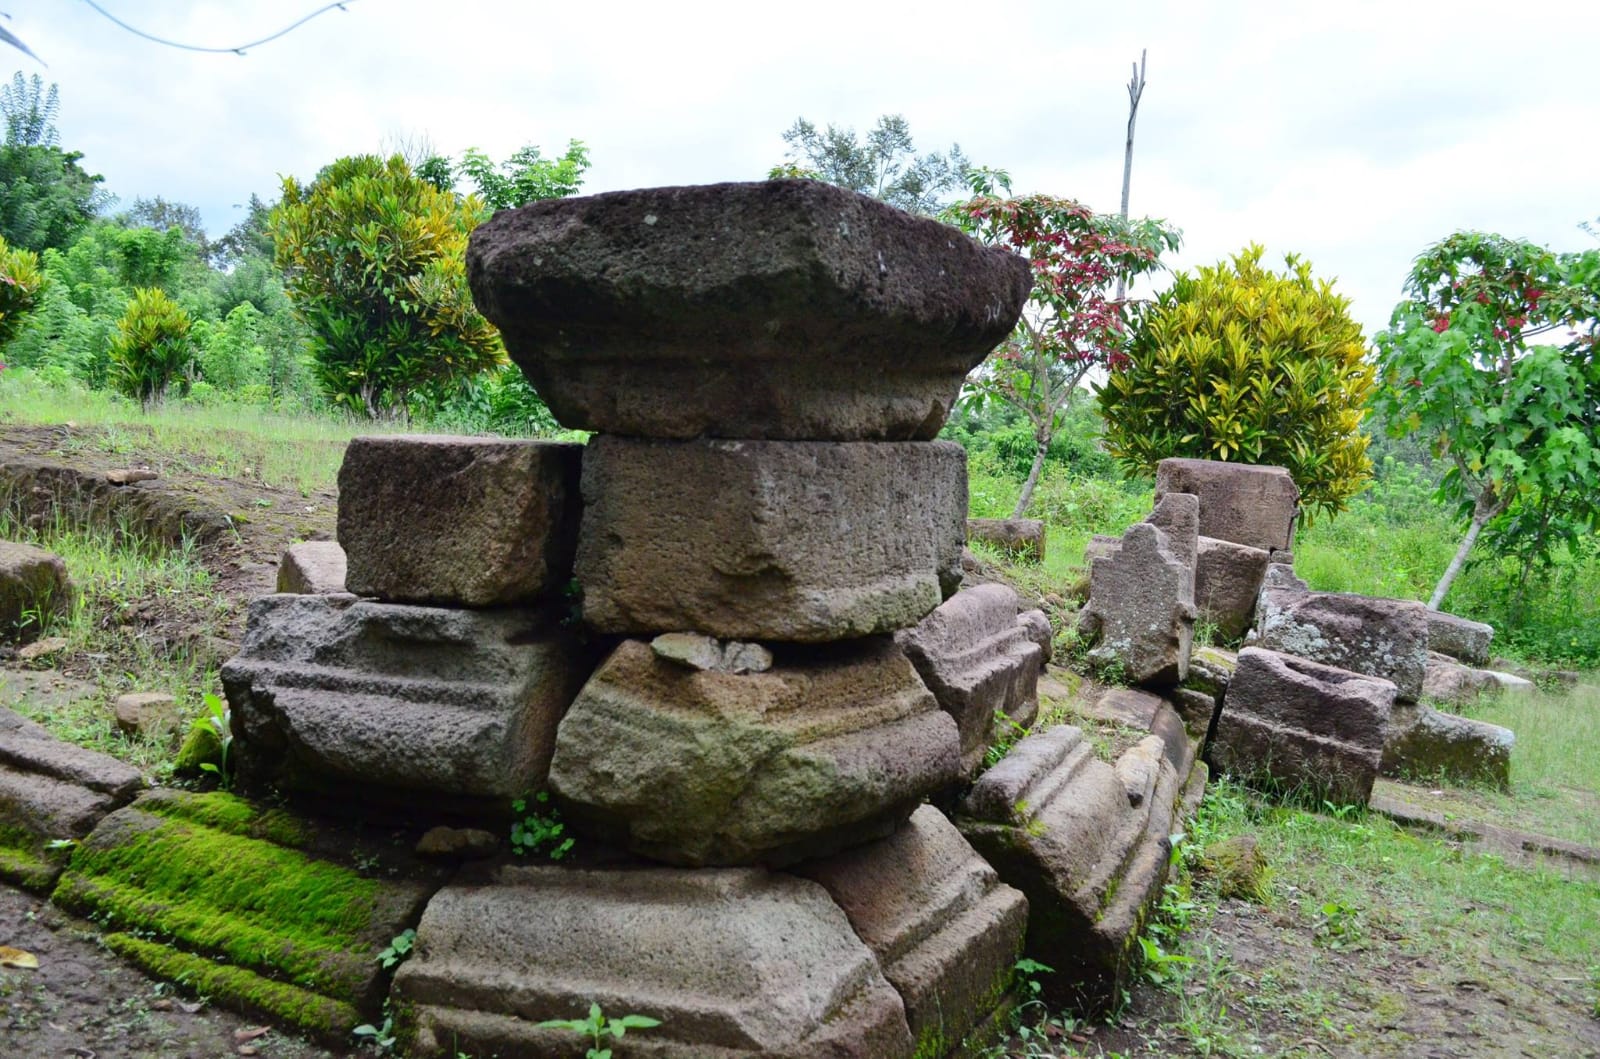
column 1089, row 844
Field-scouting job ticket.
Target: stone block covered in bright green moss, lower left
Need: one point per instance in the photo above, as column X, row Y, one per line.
column 257, row 909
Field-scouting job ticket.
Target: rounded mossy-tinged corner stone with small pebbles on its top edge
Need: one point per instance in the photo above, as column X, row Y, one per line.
column 823, row 751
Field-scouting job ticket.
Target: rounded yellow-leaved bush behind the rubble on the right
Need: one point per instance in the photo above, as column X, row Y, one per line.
column 1239, row 362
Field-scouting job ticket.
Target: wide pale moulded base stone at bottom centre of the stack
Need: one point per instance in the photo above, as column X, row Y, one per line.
column 734, row 964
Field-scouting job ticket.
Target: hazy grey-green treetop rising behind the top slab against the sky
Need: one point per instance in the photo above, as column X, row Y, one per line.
column 886, row 164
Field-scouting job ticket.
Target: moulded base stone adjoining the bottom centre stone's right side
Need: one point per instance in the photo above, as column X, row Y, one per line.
column 940, row 922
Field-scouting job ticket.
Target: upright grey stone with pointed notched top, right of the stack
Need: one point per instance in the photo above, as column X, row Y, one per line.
column 1142, row 609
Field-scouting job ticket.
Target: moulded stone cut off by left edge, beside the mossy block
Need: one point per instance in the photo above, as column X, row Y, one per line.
column 50, row 791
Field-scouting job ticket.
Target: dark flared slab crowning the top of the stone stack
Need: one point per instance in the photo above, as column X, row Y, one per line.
column 786, row 310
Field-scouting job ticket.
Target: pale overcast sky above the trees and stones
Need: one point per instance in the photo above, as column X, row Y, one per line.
column 1353, row 134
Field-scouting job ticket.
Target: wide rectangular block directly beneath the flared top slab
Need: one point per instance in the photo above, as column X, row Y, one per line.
column 790, row 541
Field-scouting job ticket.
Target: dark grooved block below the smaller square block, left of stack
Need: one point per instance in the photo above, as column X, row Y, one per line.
column 385, row 701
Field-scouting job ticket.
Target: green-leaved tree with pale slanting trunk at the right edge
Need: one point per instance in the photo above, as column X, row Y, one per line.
column 1518, row 422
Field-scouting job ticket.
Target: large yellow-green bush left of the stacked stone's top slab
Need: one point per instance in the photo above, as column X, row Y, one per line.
column 375, row 265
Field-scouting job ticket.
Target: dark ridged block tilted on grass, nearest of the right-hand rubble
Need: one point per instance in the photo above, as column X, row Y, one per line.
column 1303, row 724
